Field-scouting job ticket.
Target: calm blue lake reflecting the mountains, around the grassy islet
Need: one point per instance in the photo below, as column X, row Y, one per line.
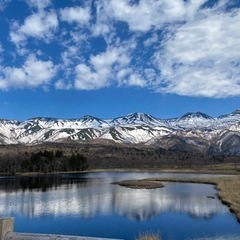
column 89, row 205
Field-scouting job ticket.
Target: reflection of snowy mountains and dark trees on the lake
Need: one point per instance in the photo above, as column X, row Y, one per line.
column 84, row 197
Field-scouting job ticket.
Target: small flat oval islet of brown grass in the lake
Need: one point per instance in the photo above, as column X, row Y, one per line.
column 140, row 184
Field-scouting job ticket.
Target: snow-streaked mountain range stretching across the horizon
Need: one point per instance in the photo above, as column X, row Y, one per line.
column 192, row 131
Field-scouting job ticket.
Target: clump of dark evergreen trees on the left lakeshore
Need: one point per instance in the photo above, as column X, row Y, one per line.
column 45, row 162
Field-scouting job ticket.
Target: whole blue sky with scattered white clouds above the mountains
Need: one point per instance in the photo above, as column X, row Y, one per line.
column 109, row 58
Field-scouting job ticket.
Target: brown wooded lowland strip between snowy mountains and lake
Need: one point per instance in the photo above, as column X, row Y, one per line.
column 66, row 157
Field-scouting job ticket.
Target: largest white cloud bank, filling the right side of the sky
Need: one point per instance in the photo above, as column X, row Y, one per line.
column 201, row 59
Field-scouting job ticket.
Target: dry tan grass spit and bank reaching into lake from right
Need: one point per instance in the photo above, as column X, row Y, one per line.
column 228, row 187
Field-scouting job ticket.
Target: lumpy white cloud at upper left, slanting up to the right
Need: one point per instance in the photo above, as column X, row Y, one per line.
column 39, row 25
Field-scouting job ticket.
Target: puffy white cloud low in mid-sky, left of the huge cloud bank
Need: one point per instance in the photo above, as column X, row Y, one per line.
column 109, row 68
